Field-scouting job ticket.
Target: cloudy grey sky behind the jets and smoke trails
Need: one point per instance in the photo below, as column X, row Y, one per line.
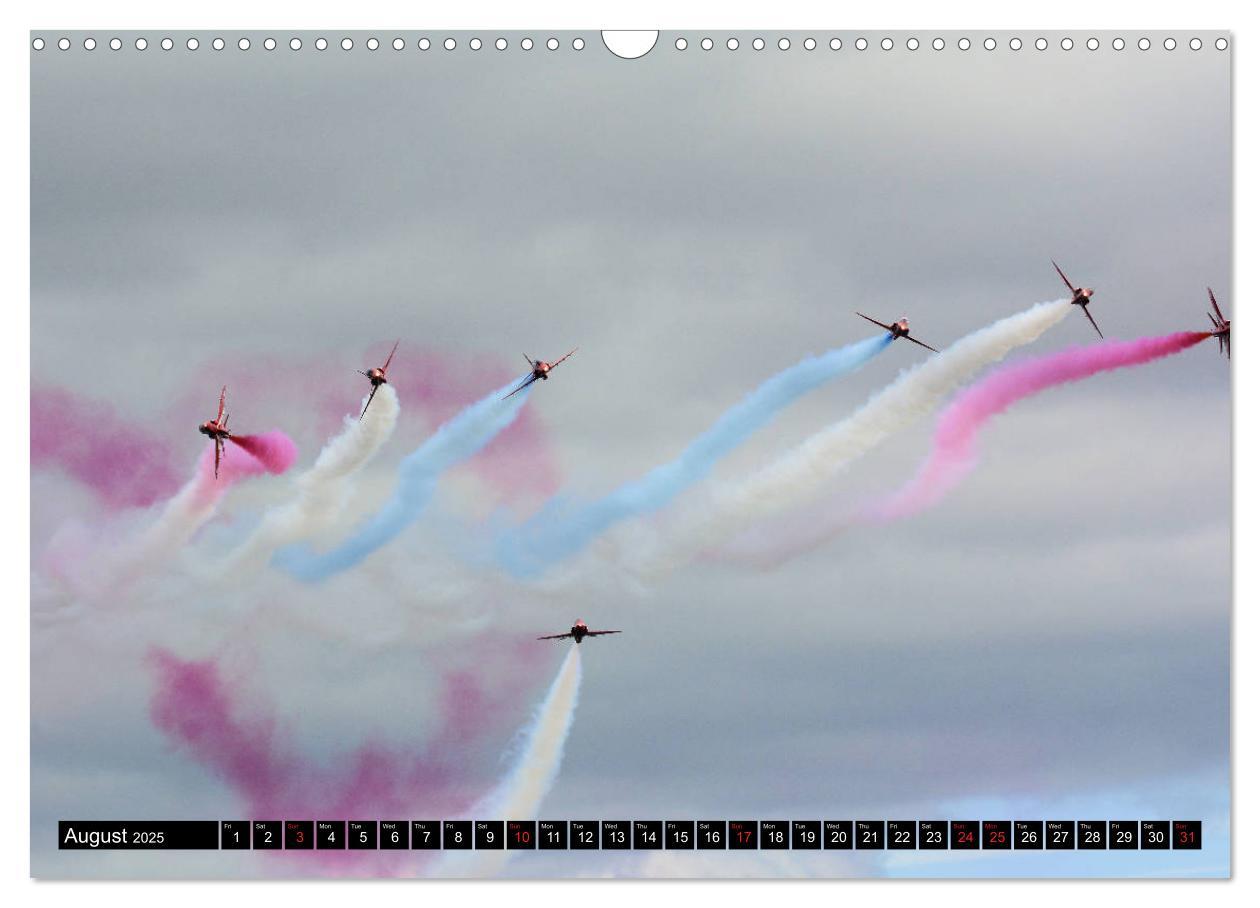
column 696, row 222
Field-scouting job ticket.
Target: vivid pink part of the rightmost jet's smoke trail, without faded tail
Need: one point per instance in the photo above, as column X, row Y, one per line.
column 954, row 455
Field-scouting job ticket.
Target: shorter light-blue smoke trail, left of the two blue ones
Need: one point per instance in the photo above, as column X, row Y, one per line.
column 454, row 443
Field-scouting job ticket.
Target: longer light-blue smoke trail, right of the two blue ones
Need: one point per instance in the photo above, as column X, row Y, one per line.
column 553, row 535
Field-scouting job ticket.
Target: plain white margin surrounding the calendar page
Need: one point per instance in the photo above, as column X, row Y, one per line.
column 570, row 14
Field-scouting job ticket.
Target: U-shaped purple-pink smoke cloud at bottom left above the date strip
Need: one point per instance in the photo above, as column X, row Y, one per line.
column 198, row 707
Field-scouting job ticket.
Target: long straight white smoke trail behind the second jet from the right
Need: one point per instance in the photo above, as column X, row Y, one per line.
column 794, row 478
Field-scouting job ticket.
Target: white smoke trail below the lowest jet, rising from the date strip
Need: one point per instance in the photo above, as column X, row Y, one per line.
column 522, row 792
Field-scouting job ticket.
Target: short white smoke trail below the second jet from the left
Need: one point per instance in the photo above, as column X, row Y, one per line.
column 323, row 491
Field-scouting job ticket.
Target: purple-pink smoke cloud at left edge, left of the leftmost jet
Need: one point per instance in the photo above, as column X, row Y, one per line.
column 123, row 464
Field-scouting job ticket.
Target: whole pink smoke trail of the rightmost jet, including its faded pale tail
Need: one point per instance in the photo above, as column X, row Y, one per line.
column 954, row 454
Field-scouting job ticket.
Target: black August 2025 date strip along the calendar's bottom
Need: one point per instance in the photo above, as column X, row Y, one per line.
column 614, row 836
